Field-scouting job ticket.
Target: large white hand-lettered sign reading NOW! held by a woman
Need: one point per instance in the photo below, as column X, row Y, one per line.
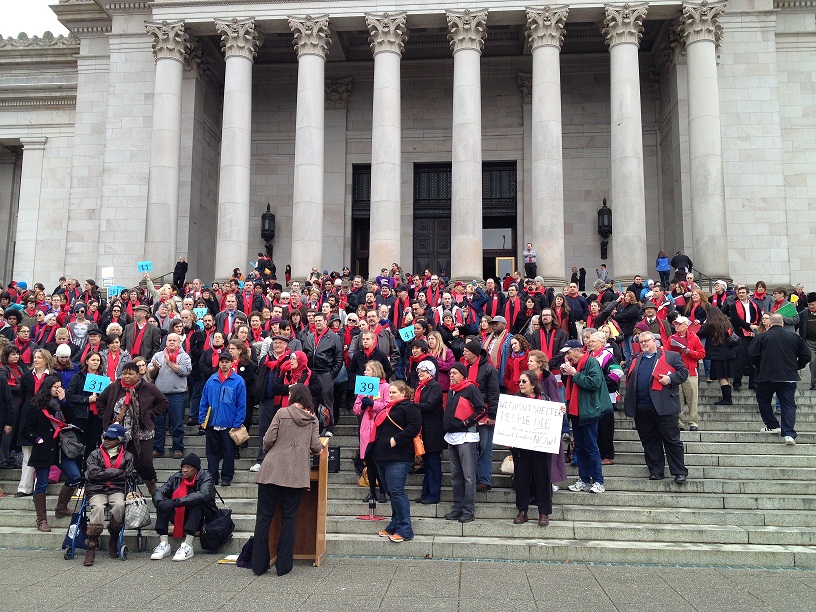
column 533, row 424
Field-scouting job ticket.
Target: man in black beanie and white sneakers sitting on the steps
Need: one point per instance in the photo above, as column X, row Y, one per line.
column 184, row 500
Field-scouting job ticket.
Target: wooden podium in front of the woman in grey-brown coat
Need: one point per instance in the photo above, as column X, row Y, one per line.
column 310, row 529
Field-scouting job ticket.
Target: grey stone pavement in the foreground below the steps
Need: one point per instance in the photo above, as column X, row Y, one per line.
column 43, row 580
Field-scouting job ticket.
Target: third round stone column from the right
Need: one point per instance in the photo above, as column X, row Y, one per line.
column 545, row 32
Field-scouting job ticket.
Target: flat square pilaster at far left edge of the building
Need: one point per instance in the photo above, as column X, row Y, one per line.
column 28, row 212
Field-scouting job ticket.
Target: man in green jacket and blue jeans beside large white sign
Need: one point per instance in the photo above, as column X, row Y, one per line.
column 587, row 401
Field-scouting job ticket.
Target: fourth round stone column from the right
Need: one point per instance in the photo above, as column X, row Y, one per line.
column 466, row 33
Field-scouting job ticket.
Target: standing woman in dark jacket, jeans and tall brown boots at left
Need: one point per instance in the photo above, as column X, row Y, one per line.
column 41, row 424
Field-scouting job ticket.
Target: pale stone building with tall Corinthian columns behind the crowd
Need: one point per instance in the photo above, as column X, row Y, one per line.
column 441, row 136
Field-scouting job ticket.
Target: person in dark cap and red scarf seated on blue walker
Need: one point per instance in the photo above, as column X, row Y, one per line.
column 108, row 469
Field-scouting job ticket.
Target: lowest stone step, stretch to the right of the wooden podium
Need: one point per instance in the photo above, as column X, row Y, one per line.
column 584, row 551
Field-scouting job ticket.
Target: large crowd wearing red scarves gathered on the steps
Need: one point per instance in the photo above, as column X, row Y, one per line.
column 211, row 355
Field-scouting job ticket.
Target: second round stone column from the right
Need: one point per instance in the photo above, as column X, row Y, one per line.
column 623, row 29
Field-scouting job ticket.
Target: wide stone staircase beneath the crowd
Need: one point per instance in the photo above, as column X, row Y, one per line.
column 750, row 500
